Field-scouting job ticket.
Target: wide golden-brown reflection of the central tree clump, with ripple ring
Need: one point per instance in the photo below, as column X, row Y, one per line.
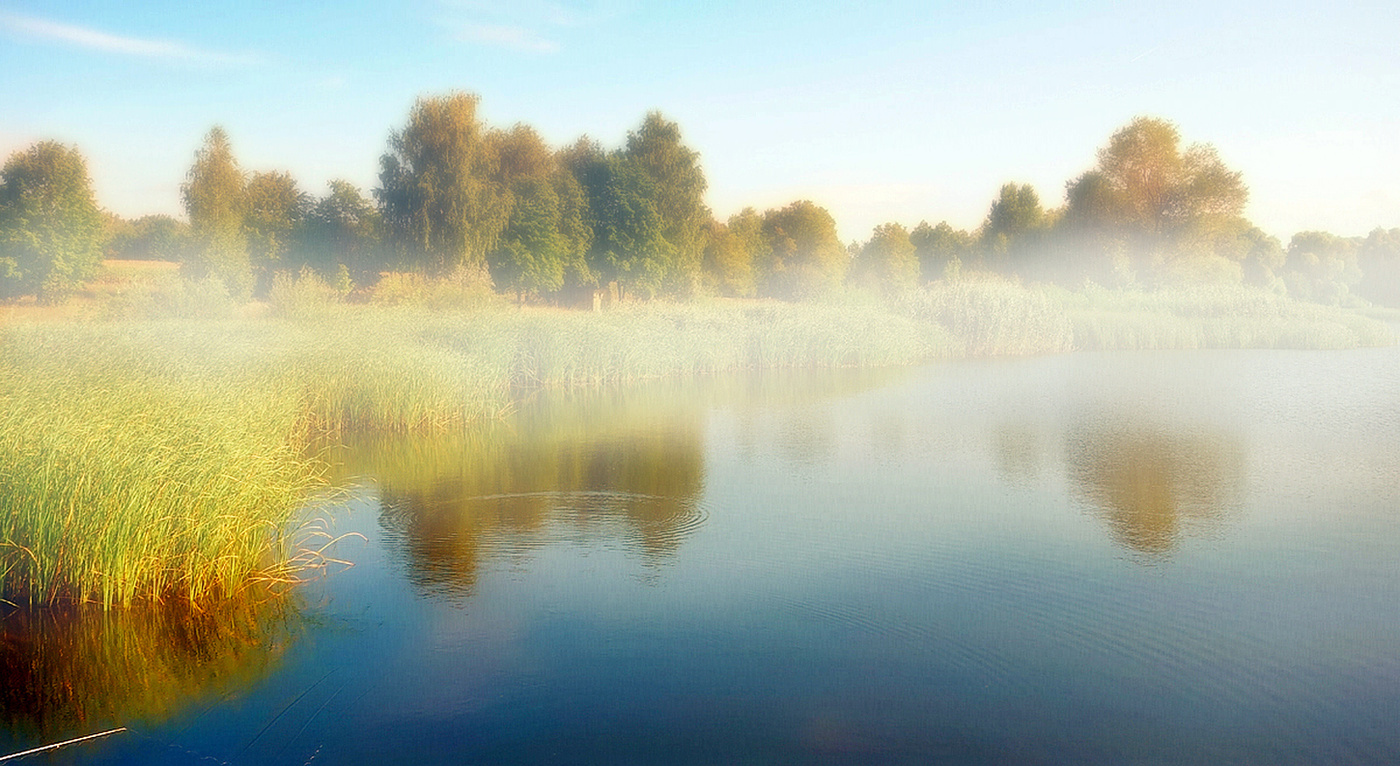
column 586, row 468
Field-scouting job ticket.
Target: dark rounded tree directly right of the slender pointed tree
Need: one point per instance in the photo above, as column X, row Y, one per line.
column 274, row 219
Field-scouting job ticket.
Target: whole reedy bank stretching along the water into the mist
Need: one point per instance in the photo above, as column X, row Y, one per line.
column 162, row 459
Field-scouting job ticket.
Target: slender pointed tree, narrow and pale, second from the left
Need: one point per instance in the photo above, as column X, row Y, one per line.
column 215, row 202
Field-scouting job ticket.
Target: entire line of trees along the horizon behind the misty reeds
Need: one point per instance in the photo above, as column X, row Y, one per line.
column 548, row 223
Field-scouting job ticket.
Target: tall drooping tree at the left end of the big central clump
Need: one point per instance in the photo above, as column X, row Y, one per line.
column 439, row 190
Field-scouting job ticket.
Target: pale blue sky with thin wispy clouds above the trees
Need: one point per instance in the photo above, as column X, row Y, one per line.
column 880, row 111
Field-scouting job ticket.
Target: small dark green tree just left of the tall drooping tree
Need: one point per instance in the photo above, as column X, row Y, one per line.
column 344, row 230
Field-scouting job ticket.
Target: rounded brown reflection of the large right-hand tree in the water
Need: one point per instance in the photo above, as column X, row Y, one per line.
column 1154, row 485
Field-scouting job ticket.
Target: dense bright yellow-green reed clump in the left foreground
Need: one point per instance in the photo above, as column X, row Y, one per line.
column 127, row 477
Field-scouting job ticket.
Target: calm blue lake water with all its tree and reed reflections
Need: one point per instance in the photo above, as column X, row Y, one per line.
column 1170, row 558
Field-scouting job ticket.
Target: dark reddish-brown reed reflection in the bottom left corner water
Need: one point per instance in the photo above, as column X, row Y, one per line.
column 73, row 671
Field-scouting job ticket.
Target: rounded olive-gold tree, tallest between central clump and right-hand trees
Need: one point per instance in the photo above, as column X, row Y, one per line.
column 803, row 256
